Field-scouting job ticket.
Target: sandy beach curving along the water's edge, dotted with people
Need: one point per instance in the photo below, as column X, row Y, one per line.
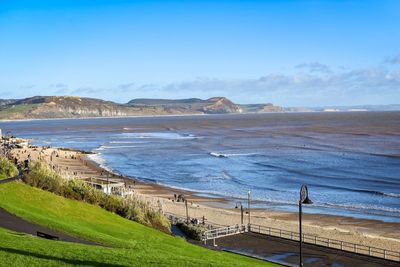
column 71, row 163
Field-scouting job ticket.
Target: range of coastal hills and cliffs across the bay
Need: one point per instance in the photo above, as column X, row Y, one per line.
column 46, row 107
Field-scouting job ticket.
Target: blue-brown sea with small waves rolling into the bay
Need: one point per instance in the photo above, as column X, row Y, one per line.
column 350, row 161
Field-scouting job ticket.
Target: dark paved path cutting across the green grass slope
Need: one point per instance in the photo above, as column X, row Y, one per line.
column 17, row 224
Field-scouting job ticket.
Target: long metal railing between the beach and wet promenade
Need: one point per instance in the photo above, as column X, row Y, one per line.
column 327, row 242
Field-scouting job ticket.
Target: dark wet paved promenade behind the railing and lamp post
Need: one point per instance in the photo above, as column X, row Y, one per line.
column 286, row 251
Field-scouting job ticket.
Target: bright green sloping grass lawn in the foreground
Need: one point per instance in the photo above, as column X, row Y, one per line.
column 126, row 243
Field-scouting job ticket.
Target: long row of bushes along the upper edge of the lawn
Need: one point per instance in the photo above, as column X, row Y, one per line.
column 40, row 175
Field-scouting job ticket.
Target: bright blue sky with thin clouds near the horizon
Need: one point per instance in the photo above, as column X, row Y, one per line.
column 292, row 53
